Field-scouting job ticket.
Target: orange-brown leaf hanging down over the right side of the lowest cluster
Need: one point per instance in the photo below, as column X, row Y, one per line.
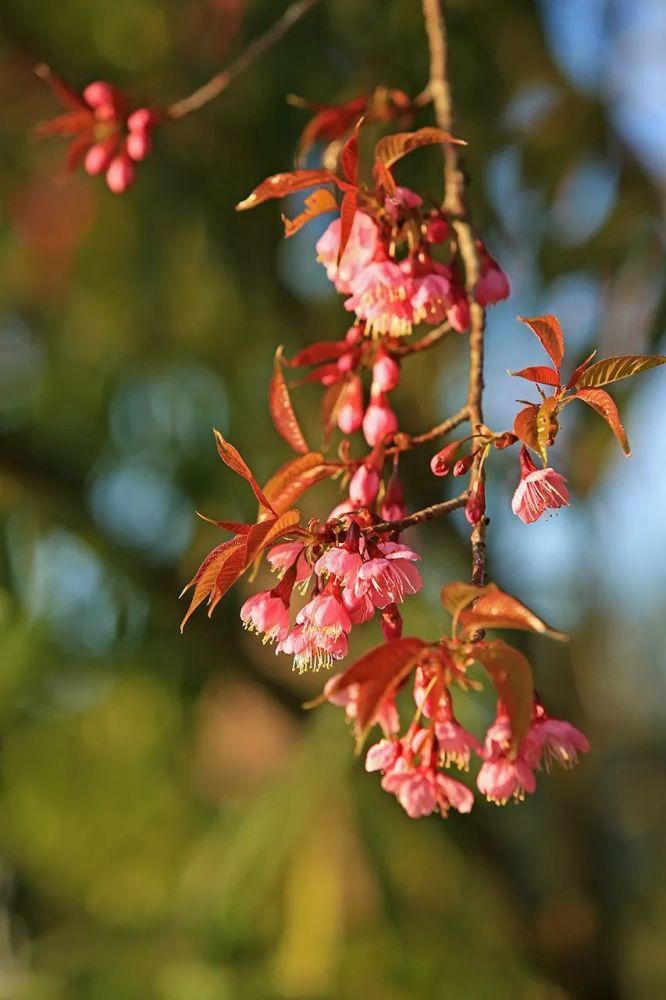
column 512, row 676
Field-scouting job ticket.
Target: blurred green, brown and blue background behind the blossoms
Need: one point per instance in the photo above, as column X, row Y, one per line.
column 172, row 824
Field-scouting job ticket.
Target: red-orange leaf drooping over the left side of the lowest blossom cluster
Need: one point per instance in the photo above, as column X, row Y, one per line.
column 377, row 675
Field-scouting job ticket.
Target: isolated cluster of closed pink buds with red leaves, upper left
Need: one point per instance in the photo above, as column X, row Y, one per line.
column 105, row 135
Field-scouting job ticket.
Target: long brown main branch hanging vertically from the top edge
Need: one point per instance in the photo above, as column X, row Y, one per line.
column 454, row 203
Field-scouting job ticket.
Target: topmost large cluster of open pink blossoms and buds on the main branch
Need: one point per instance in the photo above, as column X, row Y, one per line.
column 390, row 275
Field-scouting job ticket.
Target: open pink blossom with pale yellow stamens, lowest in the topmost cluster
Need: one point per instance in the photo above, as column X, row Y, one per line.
column 381, row 294
